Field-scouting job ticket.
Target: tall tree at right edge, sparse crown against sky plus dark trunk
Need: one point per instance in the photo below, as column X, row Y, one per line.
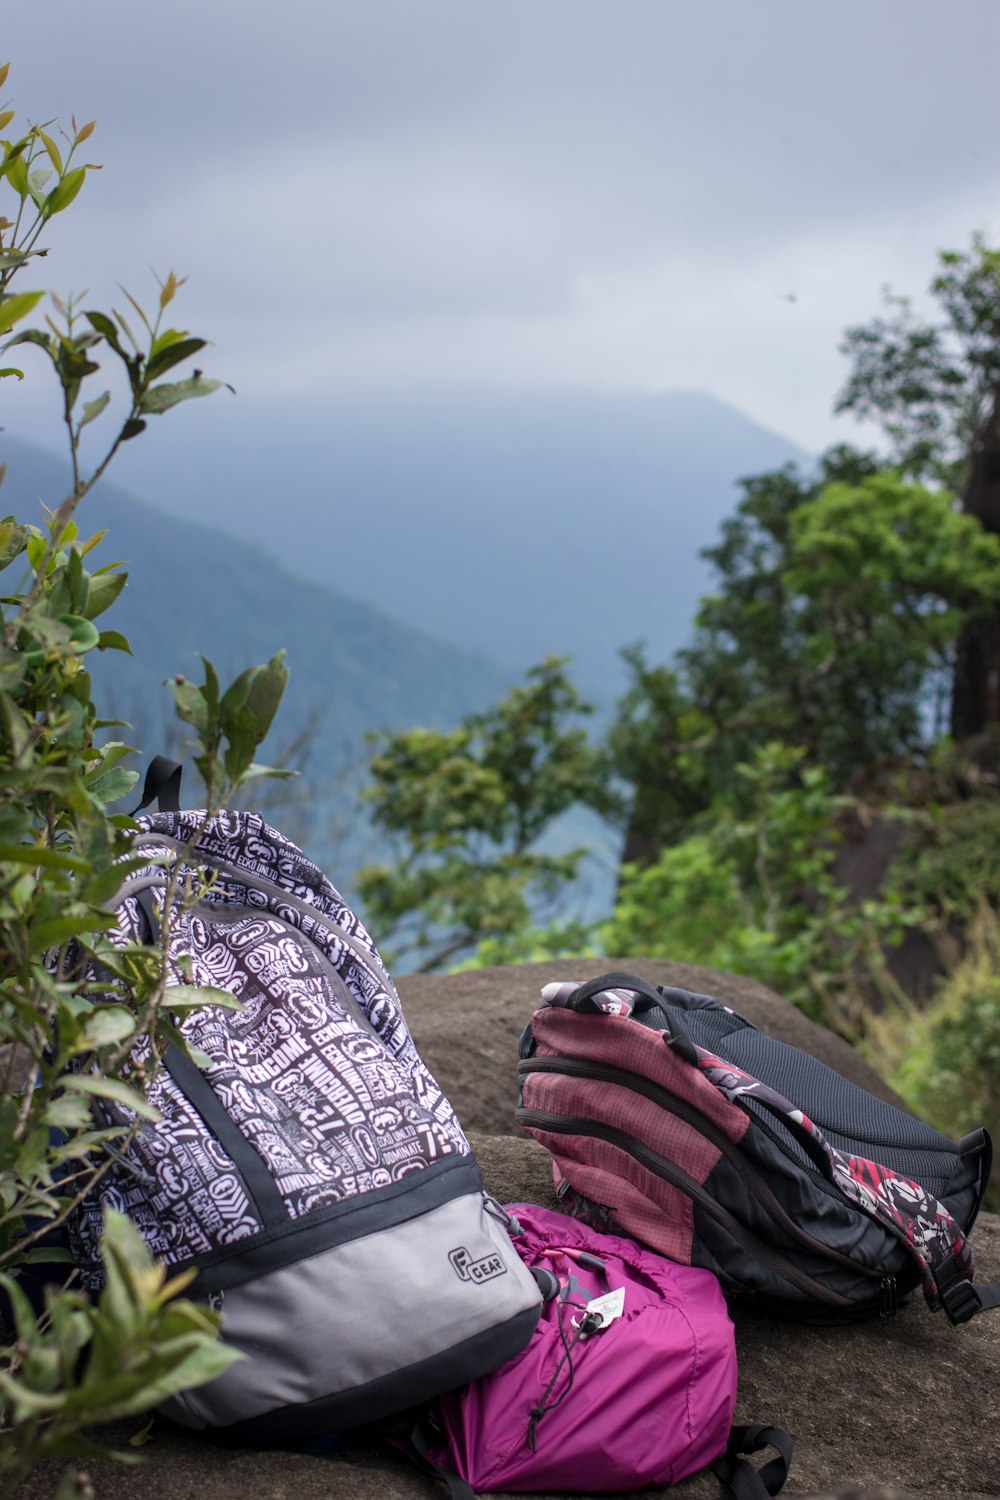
column 936, row 391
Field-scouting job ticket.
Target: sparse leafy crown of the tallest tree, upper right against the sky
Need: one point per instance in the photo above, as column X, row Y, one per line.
column 932, row 385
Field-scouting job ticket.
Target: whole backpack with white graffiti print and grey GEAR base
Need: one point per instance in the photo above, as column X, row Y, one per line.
column 314, row 1172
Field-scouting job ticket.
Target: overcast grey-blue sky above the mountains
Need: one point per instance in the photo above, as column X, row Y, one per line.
column 621, row 196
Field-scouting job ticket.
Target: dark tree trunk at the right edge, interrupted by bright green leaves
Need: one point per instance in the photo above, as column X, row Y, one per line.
column 977, row 682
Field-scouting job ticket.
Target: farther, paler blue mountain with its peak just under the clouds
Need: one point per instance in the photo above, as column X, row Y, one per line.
column 513, row 524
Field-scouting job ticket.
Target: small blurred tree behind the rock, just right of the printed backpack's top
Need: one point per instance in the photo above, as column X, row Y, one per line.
column 470, row 808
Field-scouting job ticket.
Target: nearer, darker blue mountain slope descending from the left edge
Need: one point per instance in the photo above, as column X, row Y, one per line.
column 194, row 590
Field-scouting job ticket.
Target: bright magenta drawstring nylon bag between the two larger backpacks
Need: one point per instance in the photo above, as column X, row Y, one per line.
column 629, row 1379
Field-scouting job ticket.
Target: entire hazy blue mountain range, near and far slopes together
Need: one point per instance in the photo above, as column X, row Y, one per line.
column 415, row 556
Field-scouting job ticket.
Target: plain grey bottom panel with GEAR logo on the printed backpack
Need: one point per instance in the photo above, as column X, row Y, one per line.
column 370, row 1327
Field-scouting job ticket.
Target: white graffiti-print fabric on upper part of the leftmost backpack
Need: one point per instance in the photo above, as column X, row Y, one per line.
column 317, row 1069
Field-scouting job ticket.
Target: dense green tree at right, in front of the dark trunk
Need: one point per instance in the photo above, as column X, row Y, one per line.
column 837, row 611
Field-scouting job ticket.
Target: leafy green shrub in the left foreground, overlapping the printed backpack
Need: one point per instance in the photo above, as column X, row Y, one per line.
column 67, row 1045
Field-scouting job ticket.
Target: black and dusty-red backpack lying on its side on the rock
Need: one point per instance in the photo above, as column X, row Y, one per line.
column 677, row 1121
